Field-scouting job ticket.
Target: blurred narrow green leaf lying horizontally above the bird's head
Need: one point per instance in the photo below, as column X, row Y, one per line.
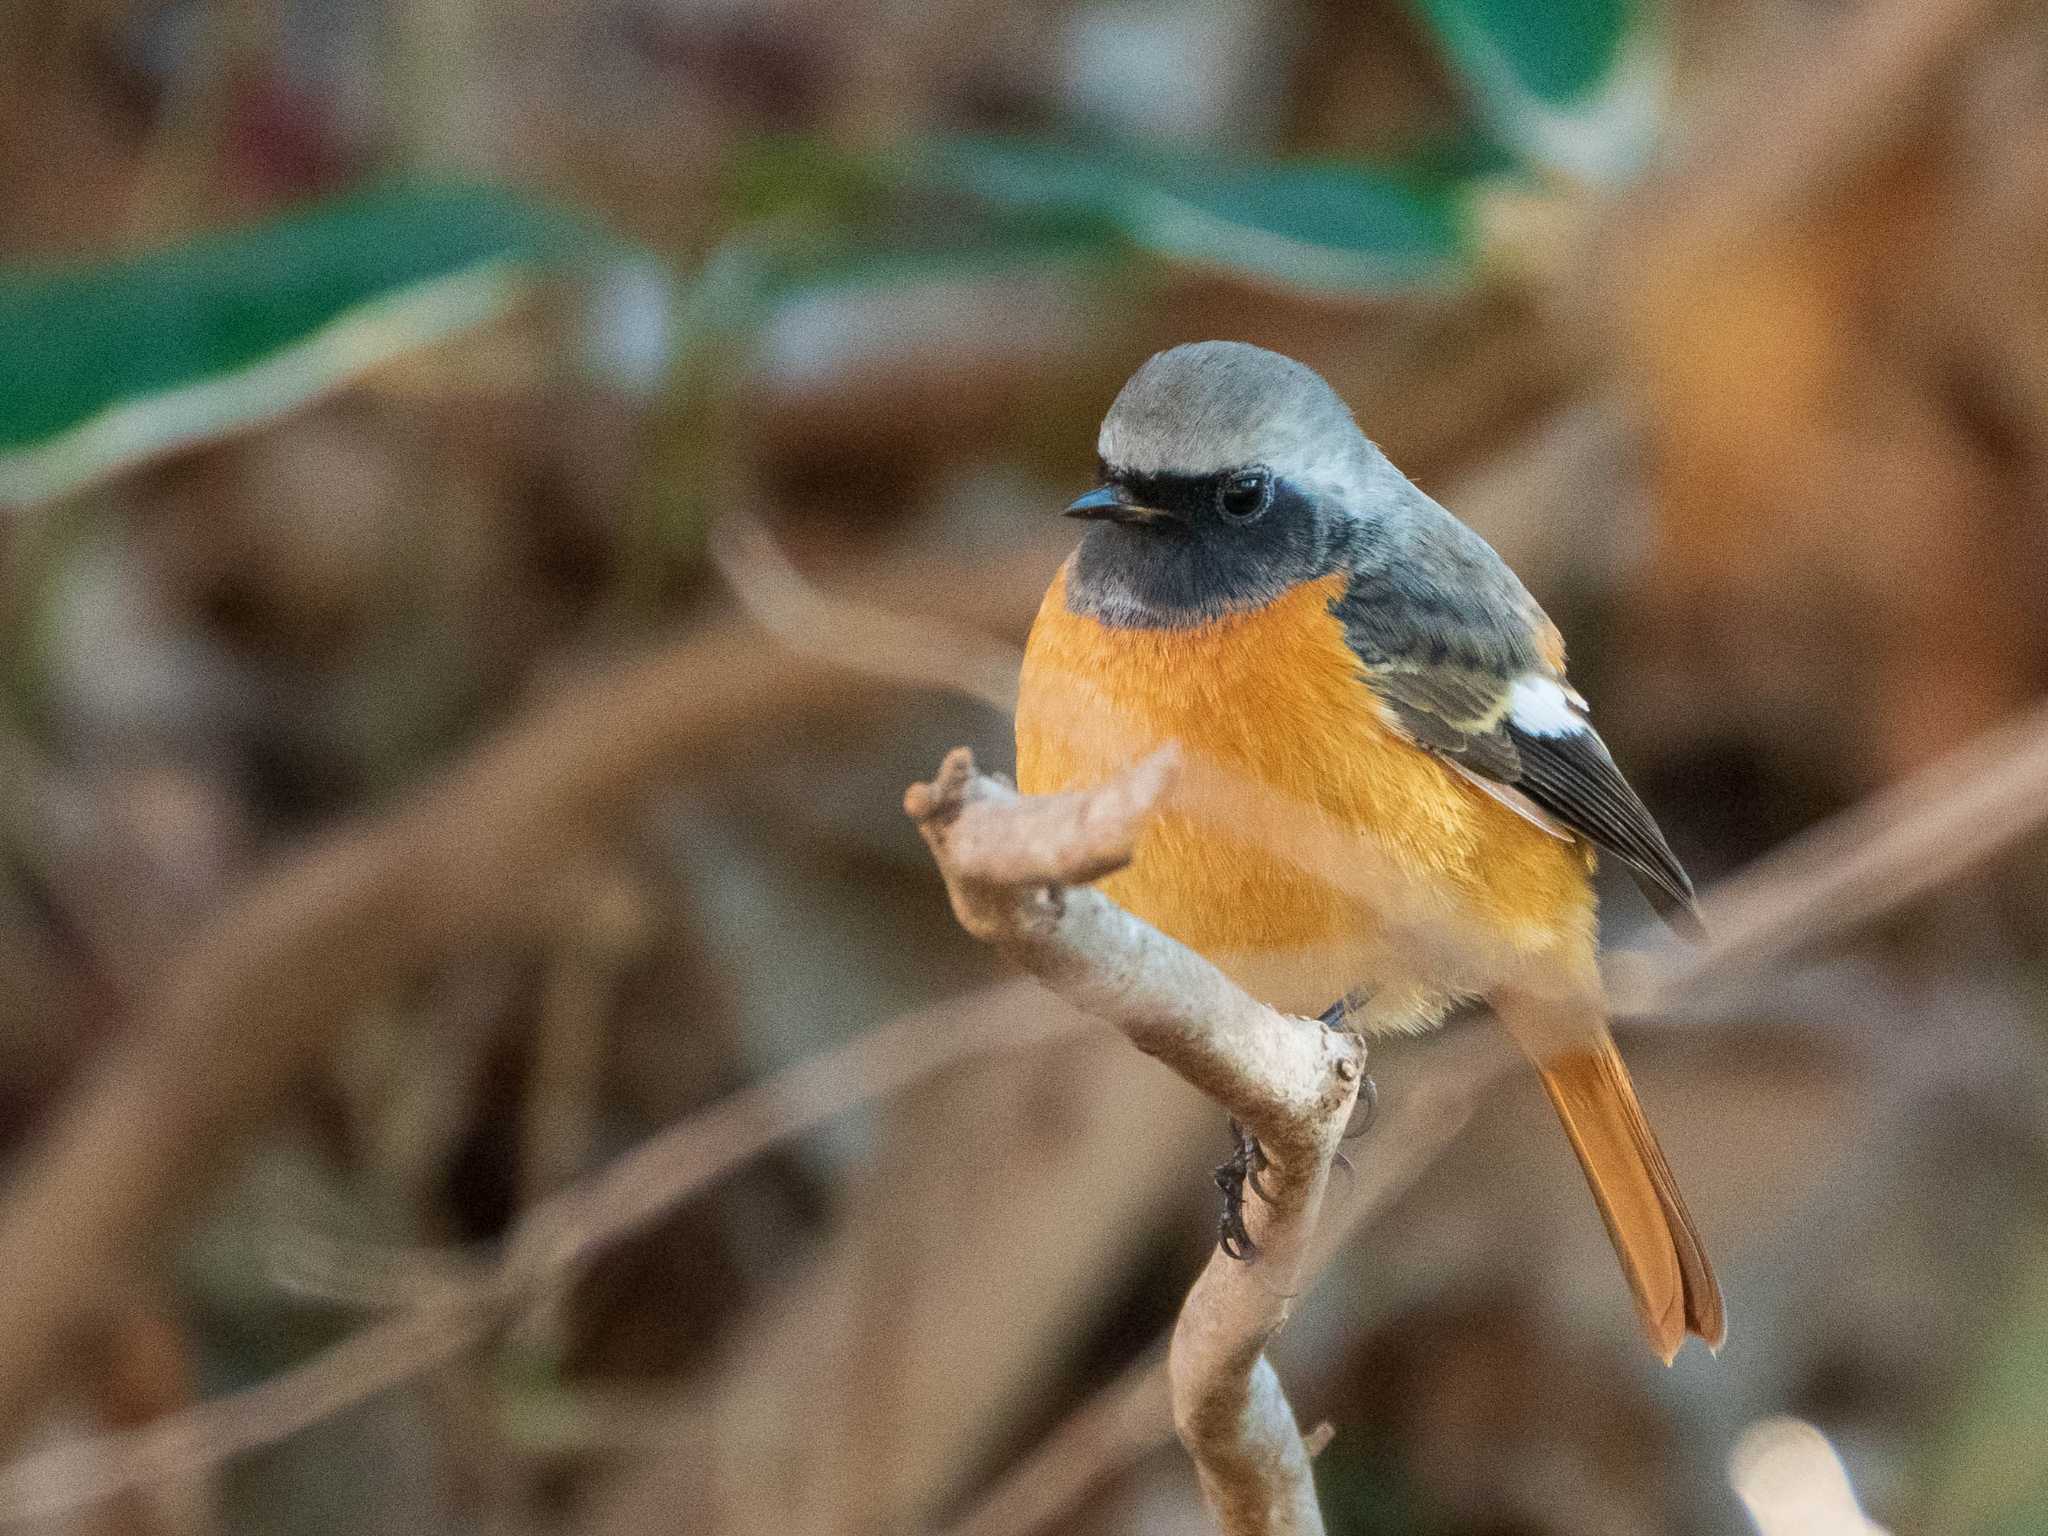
column 1310, row 224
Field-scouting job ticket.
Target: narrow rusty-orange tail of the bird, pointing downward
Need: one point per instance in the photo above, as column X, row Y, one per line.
column 1656, row 1240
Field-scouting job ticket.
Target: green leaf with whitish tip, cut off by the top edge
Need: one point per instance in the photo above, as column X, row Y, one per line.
column 1572, row 85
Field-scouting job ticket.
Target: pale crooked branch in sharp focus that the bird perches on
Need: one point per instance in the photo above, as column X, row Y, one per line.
column 1009, row 863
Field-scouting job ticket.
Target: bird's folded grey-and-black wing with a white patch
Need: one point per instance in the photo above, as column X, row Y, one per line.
column 1459, row 663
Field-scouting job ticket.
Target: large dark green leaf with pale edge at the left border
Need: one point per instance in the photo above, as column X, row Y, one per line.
column 122, row 361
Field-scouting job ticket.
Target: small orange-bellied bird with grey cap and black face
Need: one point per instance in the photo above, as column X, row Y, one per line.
column 1392, row 800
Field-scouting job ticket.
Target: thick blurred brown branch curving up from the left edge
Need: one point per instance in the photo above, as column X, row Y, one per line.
column 249, row 1005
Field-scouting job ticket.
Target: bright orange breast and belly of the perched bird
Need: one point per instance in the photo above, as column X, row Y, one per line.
column 1308, row 849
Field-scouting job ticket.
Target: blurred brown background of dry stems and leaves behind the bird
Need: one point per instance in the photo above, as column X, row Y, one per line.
column 1758, row 409
